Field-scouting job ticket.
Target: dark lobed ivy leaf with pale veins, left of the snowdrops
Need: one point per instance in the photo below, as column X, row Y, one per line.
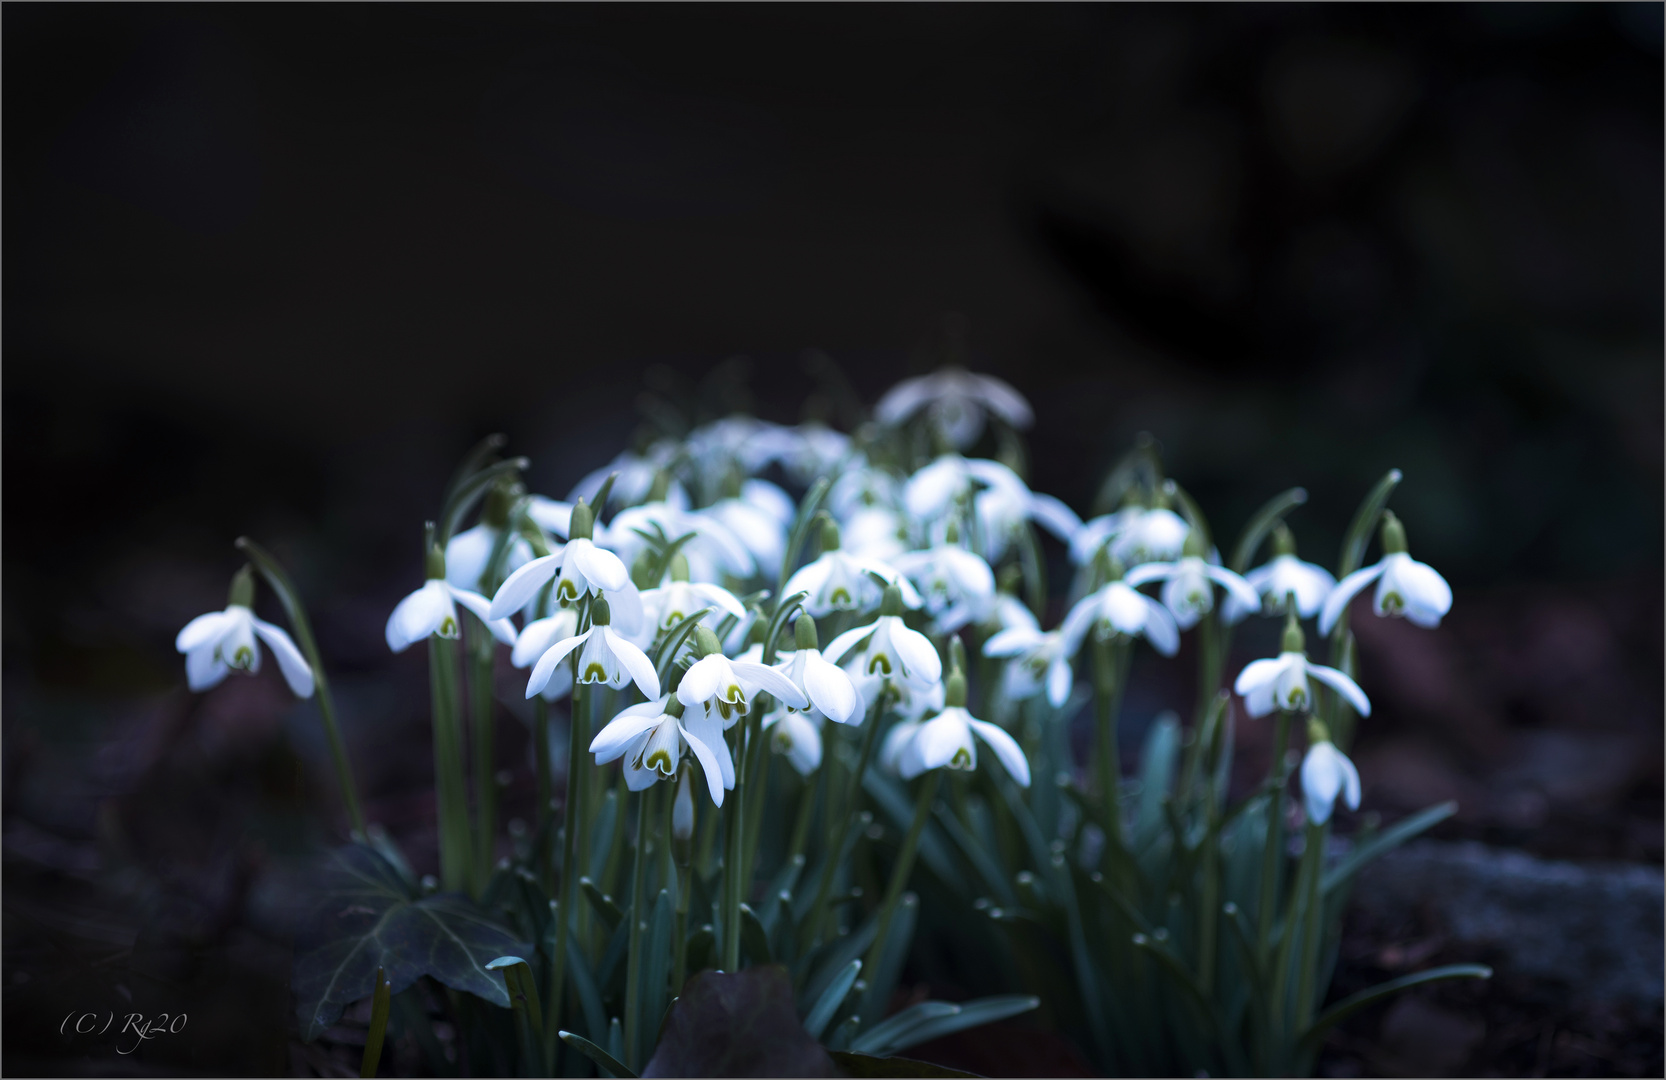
column 367, row 919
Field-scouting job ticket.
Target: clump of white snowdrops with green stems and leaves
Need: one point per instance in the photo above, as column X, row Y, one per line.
column 877, row 632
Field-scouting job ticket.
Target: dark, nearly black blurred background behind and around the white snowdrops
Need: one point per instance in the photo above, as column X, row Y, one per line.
column 271, row 271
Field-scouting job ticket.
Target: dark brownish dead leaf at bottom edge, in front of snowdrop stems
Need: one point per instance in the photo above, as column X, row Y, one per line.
column 739, row 1026
